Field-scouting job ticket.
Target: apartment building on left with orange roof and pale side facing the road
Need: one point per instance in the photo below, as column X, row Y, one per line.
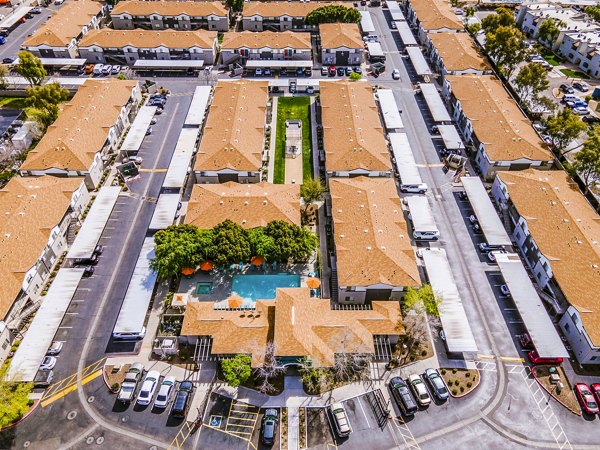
column 86, row 134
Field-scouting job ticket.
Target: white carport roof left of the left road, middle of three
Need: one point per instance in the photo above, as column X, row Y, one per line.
column 94, row 224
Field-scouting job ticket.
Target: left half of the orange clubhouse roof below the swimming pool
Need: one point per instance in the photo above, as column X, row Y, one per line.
column 232, row 331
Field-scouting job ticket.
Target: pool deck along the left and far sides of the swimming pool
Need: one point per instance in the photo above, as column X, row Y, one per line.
column 222, row 280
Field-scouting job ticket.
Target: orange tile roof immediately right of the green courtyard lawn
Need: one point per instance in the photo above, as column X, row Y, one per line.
column 353, row 135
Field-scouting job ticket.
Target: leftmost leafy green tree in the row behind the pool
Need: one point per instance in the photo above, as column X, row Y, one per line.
column 180, row 246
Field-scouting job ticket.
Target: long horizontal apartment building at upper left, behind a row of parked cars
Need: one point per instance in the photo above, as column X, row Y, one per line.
column 128, row 46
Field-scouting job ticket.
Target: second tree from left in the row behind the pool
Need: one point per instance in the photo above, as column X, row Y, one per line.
column 230, row 243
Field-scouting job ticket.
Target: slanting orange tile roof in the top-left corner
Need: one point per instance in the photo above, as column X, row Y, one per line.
column 65, row 25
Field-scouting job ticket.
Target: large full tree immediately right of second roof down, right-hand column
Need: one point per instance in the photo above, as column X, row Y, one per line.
column 506, row 46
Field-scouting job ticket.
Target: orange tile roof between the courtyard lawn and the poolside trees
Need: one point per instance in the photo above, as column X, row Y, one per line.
column 250, row 205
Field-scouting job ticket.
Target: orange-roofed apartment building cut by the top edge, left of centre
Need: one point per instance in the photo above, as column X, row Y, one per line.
column 176, row 15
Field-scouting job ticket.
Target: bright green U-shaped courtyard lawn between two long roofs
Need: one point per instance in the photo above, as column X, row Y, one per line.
column 292, row 108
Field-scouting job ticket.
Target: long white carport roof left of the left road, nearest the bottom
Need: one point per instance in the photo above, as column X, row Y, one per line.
column 26, row 362
